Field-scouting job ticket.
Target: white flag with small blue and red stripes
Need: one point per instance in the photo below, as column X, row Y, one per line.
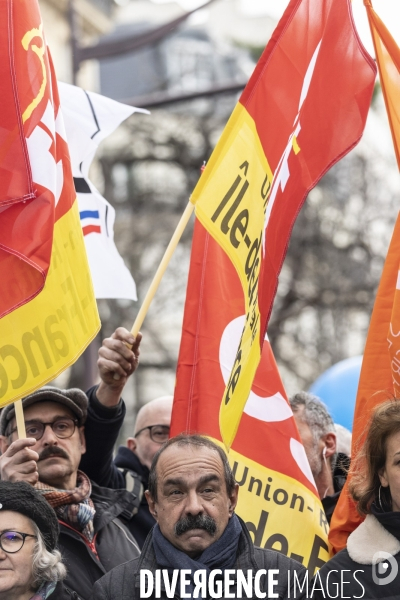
column 89, row 118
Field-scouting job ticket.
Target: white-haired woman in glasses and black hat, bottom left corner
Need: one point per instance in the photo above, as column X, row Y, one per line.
column 30, row 566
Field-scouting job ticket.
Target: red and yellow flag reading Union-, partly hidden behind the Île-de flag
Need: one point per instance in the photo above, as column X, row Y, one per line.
column 277, row 498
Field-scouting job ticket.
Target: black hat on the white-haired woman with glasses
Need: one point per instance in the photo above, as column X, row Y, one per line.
column 23, row 498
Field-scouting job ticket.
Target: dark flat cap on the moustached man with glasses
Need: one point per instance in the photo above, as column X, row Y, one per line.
column 74, row 399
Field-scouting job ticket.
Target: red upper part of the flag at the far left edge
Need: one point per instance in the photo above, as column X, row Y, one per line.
column 27, row 192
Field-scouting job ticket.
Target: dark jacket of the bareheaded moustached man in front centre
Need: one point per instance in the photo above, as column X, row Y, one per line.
column 123, row 582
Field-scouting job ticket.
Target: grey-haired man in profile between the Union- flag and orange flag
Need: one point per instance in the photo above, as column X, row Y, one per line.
column 317, row 432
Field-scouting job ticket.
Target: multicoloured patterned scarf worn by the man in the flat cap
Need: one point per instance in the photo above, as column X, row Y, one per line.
column 75, row 506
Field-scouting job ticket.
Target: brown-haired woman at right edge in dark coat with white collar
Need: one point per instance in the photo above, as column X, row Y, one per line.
column 371, row 560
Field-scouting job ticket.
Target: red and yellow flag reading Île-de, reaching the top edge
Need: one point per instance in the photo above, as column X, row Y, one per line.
column 303, row 109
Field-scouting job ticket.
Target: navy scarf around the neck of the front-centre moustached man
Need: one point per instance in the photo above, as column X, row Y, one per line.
column 220, row 555
